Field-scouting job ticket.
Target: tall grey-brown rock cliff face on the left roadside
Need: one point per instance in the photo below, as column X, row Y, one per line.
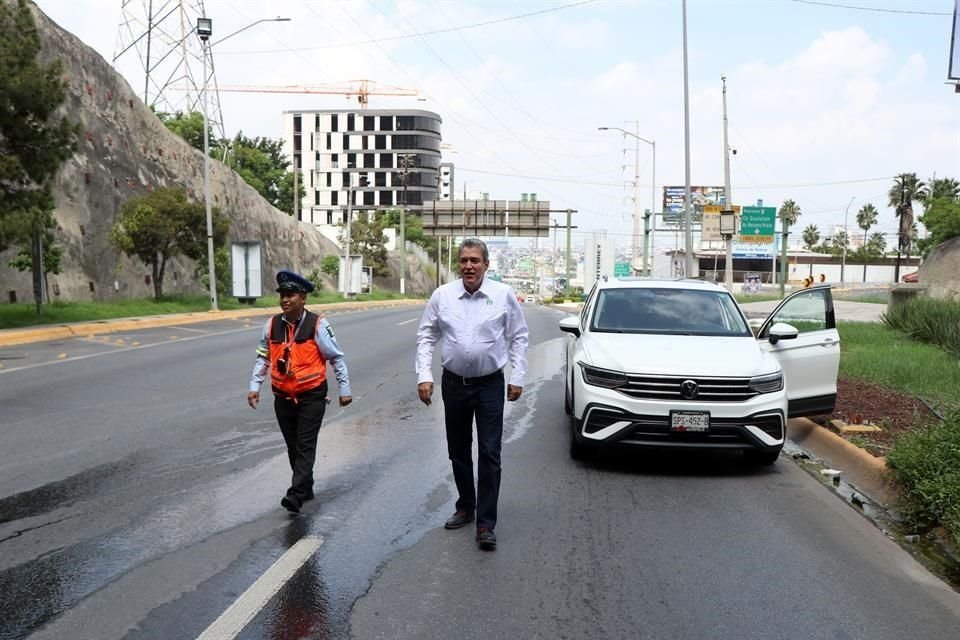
column 125, row 151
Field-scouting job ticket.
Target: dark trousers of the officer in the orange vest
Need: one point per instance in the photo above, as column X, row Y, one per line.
column 300, row 423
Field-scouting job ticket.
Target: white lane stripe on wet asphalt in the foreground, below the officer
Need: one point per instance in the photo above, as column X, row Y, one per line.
column 247, row 606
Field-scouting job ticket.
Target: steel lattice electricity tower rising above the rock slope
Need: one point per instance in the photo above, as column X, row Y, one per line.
column 157, row 44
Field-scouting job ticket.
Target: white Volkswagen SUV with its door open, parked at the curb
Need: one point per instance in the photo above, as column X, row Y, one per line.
column 675, row 363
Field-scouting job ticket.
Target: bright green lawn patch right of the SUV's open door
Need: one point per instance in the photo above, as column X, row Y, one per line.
column 876, row 353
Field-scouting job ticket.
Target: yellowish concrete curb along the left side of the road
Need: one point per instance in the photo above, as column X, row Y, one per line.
column 11, row 337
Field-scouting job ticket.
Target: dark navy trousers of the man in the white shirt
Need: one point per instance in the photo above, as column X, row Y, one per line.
column 461, row 404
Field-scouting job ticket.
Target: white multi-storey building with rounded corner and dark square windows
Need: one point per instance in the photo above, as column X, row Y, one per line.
column 363, row 153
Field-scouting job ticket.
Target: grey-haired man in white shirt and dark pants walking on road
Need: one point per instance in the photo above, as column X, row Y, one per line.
column 482, row 327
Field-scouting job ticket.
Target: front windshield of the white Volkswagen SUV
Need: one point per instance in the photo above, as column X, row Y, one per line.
column 668, row 311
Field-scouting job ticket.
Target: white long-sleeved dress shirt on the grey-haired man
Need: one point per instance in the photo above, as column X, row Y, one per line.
column 480, row 332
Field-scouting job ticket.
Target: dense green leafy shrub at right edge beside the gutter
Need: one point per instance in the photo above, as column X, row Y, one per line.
column 926, row 464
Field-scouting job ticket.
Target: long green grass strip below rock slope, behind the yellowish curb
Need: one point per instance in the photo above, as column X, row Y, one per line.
column 14, row 316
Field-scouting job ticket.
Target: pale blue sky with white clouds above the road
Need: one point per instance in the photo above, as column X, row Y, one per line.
column 826, row 102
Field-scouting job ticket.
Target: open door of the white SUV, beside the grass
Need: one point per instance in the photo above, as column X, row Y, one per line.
column 811, row 360
